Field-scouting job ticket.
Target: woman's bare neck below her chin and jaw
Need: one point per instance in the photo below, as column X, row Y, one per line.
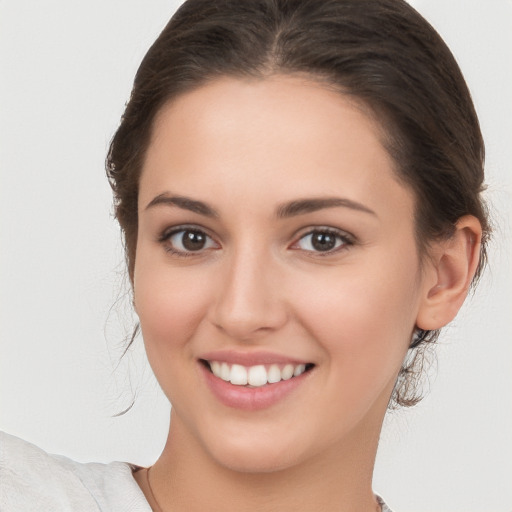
column 187, row 478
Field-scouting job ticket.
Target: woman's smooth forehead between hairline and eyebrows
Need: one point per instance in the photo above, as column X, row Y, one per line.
column 277, row 138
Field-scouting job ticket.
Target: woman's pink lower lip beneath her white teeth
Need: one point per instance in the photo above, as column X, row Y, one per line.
column 251, row 399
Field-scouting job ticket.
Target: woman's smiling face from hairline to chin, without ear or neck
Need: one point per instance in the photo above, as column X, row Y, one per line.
column 274, row 238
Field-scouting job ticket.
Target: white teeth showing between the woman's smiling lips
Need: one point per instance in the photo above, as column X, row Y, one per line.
column 255, row 376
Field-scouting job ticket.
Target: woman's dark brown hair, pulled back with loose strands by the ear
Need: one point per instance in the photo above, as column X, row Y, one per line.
column 380, row 52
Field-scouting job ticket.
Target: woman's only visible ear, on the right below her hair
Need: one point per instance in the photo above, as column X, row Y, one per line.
column 451, row 270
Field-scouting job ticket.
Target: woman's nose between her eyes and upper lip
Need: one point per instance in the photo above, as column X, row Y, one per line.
column 250, row 301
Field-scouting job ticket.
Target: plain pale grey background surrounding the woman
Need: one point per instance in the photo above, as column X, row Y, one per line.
column 66, row 71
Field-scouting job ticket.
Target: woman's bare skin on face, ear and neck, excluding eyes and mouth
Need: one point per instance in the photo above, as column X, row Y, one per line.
column 246, row 148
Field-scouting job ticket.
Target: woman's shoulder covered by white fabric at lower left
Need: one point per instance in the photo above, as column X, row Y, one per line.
column 34, row 480
